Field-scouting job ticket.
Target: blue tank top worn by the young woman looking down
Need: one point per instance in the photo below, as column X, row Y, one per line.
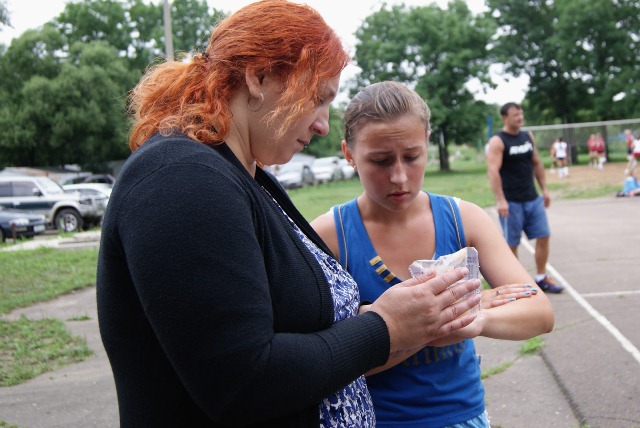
column 438, row 386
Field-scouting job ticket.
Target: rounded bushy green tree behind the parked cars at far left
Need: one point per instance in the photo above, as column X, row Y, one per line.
column 65, row 111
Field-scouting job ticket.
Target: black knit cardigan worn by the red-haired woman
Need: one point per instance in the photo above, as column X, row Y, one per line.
column 211, row 309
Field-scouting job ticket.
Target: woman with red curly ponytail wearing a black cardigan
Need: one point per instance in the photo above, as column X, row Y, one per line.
column 218, row 304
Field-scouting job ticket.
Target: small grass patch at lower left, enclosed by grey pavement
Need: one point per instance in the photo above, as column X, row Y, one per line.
column 32, row 347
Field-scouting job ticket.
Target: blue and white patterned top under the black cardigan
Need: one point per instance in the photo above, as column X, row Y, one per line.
column 350, row 406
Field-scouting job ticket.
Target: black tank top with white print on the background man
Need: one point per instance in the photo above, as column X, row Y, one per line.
column 517, row 167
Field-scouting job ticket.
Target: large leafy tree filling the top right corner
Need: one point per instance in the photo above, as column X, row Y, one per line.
column 580, row 55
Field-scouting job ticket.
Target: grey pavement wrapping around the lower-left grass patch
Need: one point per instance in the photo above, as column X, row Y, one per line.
column 80, row 395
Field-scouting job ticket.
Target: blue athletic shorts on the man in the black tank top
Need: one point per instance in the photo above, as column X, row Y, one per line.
column 529, row 217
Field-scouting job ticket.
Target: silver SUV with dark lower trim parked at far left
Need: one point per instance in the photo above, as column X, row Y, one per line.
column 41, row 195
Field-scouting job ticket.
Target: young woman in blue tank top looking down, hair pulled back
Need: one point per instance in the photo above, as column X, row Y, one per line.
column 393, row 223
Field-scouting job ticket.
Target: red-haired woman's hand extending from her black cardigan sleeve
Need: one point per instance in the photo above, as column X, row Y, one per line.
column 421, row 309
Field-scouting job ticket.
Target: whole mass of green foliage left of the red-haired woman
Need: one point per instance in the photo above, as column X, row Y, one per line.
column 64, row 86
